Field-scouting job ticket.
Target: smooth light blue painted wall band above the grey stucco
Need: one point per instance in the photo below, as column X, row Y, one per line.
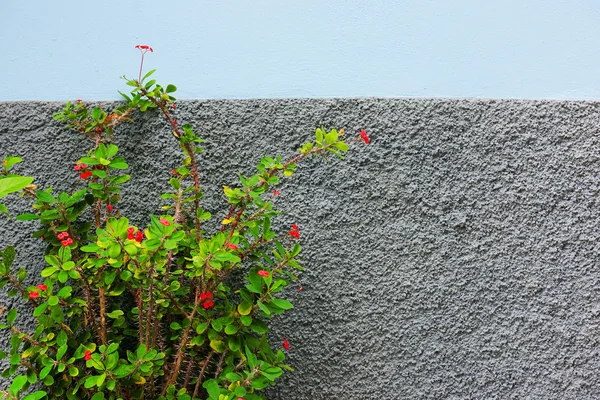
column 66, row 49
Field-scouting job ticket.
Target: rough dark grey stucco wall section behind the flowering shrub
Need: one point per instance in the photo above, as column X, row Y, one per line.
column 455, row 257
